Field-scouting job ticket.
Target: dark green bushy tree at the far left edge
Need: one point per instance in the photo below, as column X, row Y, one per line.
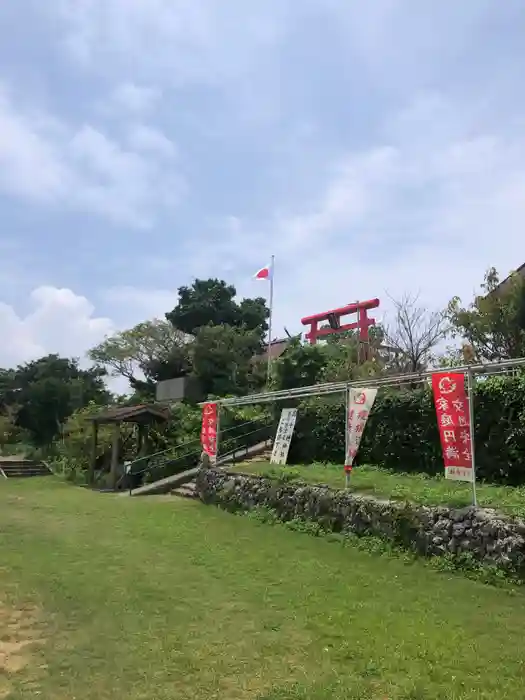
column 40, row 395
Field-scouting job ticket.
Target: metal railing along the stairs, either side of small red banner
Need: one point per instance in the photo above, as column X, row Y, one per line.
column 165, row 463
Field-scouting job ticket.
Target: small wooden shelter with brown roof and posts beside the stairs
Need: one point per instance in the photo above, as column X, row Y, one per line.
column 142, row 415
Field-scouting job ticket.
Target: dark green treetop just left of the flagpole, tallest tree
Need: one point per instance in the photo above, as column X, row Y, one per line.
column 212, row 302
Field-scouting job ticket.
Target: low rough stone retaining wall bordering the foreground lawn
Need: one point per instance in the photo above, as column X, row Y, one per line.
column 431, row 531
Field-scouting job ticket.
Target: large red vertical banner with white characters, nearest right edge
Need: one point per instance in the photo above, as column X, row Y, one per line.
column 453, row 416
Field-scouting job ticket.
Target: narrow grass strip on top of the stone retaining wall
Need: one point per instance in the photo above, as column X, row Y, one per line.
column 382, row 483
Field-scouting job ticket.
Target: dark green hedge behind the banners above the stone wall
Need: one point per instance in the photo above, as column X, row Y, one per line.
column 401, row 433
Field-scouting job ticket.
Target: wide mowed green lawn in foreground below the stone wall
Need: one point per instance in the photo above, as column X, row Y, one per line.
column 164, row 598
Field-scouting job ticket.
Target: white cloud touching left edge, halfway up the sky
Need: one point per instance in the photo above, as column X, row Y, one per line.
column 44, row 160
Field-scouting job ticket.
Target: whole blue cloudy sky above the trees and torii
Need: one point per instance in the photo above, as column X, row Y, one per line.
column 375, row 148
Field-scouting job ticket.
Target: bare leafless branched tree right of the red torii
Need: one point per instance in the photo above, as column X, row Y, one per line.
column 413, row 333
